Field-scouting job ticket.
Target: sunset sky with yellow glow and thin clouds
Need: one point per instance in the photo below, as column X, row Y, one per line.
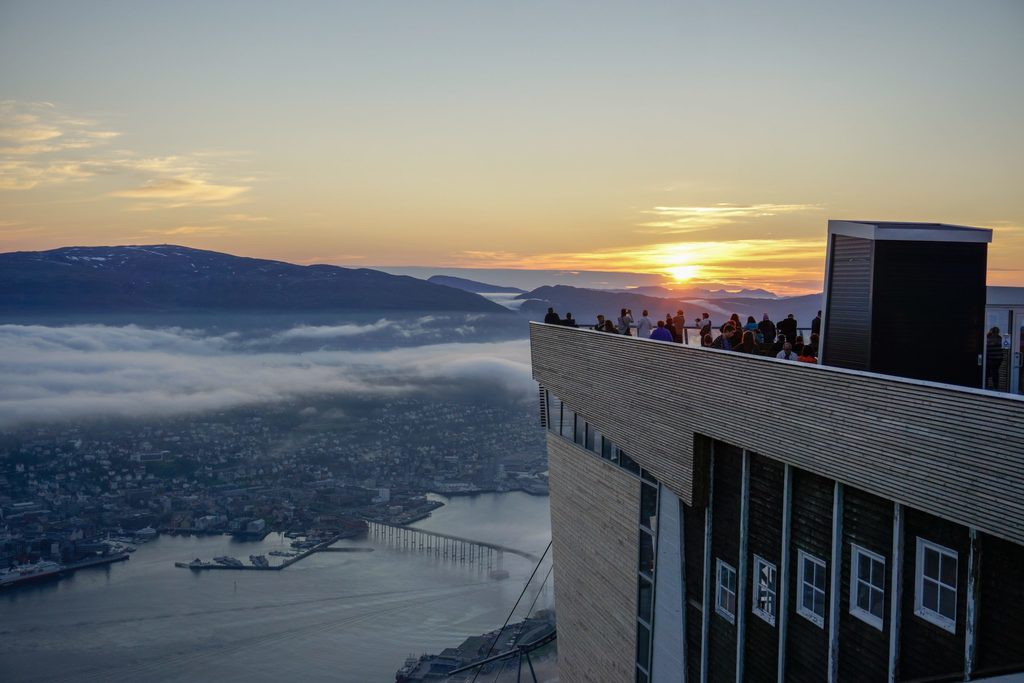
column 699, row 142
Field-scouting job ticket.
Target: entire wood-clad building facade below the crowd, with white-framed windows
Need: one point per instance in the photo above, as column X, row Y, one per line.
column 720, row 517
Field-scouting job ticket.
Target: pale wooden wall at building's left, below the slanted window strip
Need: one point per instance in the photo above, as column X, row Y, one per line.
column 595, row 508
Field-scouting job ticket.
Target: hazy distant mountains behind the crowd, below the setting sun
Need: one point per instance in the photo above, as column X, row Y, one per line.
column 585, row 305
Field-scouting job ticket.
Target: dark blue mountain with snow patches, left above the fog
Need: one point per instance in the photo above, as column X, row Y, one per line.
column 172, row 279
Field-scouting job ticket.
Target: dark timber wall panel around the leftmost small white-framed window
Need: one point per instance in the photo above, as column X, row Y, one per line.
column 726, row 547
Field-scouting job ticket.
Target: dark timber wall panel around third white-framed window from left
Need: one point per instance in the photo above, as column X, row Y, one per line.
column 807, row 644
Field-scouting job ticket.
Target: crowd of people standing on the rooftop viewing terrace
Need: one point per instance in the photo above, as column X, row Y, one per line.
column 780, row 340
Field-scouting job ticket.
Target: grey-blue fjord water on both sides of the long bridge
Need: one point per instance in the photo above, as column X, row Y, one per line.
column 337, row 617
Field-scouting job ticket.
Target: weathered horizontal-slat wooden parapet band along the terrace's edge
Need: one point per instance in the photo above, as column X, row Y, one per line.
column 957, row 454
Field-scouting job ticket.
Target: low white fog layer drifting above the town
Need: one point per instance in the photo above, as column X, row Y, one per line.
column 59, row 373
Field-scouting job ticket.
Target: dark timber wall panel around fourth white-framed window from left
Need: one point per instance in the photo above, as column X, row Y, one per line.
column 868, row 522
